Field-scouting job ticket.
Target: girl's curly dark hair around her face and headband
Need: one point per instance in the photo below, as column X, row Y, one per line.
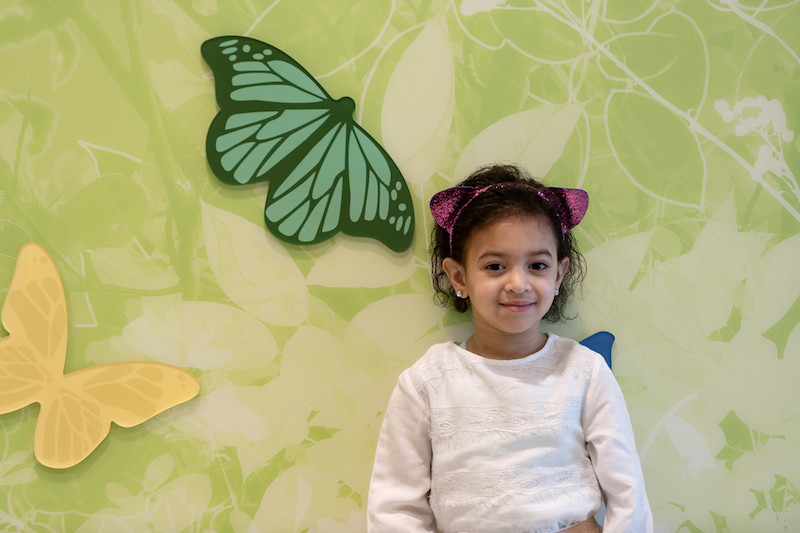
column 492, row 205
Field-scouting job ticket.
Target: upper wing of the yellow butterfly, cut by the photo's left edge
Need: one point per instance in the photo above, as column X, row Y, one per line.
column 35, row 316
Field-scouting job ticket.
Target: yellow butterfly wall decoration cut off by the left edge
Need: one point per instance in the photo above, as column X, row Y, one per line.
column 77, row 408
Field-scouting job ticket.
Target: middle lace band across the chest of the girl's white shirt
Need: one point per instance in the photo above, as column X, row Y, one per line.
column 453, row 425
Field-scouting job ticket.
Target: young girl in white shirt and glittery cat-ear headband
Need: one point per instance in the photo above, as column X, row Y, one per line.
column 514, row 430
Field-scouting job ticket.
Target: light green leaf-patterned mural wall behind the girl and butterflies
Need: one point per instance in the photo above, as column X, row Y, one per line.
column 678, row 117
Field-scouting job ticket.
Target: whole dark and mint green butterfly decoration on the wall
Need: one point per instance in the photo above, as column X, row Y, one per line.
column 277, row 124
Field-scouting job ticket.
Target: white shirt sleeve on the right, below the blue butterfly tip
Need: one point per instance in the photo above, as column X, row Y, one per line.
column 612, row 449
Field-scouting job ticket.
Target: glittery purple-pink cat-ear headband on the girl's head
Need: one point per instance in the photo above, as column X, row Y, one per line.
column 570, row 204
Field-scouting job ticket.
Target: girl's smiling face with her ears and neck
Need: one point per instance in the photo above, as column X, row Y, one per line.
column 510, row 272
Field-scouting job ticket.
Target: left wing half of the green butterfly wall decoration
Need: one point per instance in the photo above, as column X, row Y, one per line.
column 271, row 110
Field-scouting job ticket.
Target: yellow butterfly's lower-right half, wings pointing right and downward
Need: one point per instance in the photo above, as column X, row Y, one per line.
column 74, row 420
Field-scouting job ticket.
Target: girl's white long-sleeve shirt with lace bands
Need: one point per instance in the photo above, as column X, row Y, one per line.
column 523, row 445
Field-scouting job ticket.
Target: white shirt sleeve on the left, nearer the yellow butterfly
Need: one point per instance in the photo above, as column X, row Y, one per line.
column 401, row 475
